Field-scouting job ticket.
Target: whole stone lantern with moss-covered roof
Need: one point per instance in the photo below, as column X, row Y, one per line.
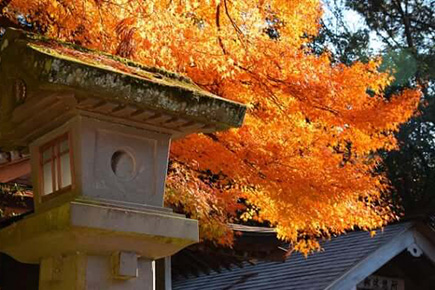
column 98, row 129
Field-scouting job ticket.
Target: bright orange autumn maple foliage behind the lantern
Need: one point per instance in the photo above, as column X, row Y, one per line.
column 304, row 160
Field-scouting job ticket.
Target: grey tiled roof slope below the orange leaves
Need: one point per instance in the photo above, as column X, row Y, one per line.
column 318, row 271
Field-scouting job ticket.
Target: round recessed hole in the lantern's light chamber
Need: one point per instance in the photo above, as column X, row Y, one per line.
column 123, row 164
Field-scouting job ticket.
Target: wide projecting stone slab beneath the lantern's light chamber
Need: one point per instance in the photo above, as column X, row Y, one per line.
column 99, row 230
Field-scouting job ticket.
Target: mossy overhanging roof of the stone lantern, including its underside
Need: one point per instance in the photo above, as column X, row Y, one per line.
column 38, row 73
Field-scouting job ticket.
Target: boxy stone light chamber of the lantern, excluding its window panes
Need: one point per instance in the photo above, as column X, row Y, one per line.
column 102, row 150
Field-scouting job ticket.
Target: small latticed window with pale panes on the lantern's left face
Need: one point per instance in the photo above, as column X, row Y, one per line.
column 56, row 165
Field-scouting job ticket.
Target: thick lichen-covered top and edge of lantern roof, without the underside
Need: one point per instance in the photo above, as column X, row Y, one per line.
column 113, row 79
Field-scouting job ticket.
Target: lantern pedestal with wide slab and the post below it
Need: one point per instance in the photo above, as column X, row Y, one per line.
column 84, row 245
